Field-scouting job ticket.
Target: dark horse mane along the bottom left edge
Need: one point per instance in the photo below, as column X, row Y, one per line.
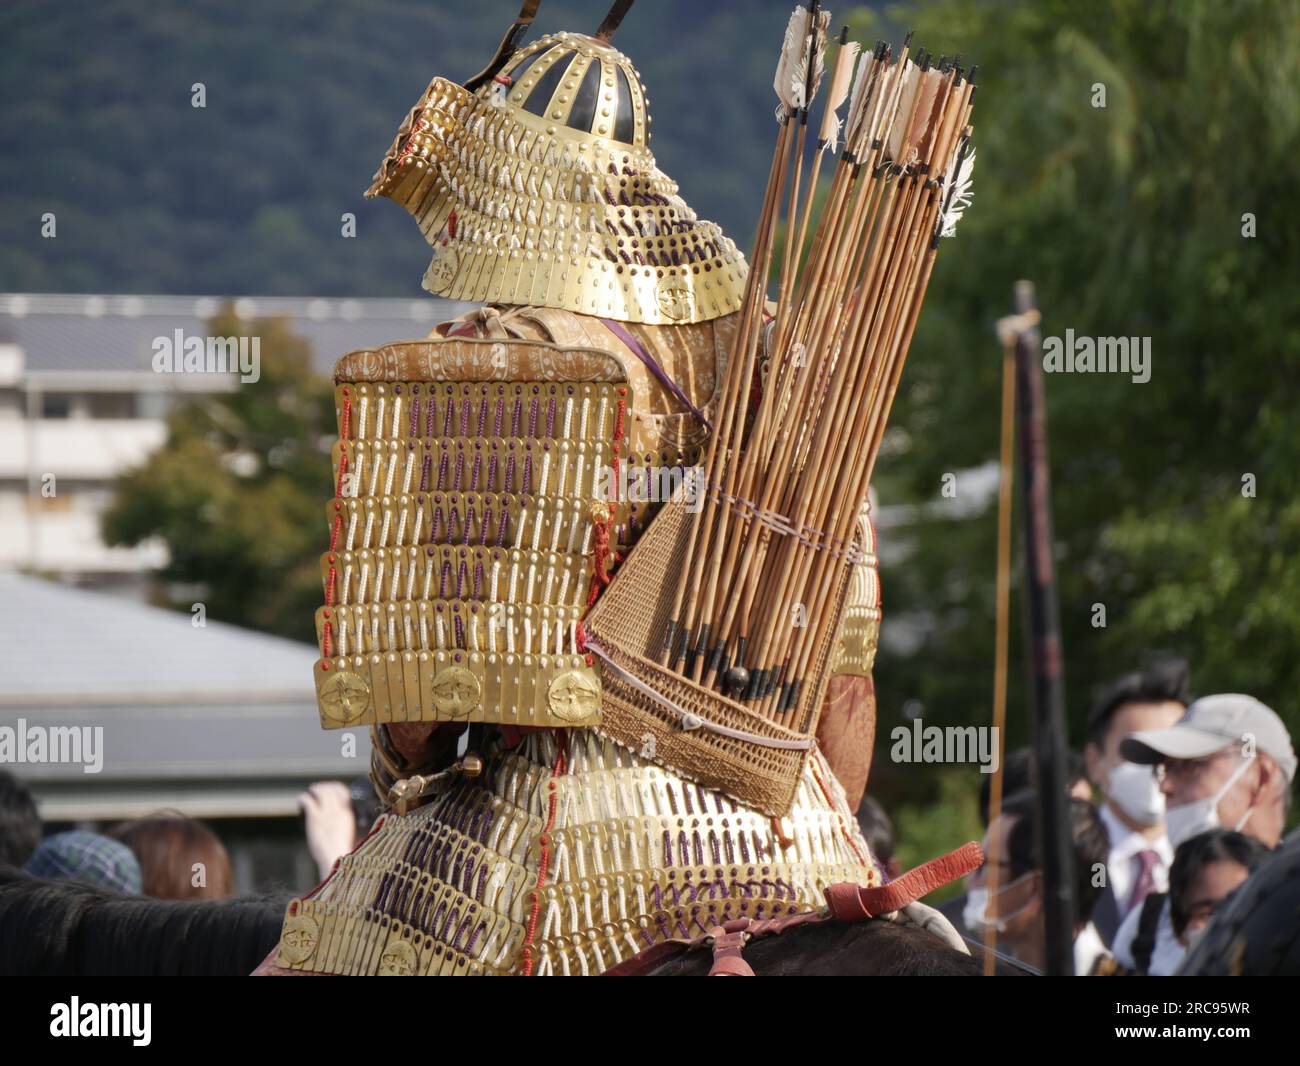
column 67, row 929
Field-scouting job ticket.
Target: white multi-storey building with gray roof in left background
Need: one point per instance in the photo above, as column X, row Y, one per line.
column 81, row 404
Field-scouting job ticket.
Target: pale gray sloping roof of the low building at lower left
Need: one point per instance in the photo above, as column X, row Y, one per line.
column 219, row 721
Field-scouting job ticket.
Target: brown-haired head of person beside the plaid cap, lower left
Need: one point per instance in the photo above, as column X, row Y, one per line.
column 180, row 859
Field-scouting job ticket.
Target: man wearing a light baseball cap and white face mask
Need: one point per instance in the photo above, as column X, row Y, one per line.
column 1228, row 762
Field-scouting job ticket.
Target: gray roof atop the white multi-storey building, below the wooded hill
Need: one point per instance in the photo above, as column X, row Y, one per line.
column 71, row 333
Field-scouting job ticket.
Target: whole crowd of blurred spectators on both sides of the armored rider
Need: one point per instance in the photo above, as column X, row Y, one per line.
column 1173, row 805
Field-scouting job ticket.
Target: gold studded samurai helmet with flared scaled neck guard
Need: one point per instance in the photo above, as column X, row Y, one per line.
column 536, row 187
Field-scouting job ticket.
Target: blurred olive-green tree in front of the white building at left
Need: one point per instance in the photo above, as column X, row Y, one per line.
column 237, row 492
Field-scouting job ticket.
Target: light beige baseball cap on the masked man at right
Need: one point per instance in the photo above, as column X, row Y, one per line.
column 1211, row 725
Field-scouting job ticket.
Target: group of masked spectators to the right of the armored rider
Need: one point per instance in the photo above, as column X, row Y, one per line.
column 1194, row 799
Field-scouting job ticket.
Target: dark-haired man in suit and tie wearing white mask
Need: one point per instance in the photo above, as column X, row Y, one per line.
column 1133, row 808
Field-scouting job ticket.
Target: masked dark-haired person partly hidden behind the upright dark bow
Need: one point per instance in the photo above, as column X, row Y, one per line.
column 1016, row 907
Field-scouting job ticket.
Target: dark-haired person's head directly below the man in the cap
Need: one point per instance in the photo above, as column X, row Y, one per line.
column 1207, row 870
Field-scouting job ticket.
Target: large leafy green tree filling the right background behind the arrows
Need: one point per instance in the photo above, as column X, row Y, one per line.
column 1134, row 220
